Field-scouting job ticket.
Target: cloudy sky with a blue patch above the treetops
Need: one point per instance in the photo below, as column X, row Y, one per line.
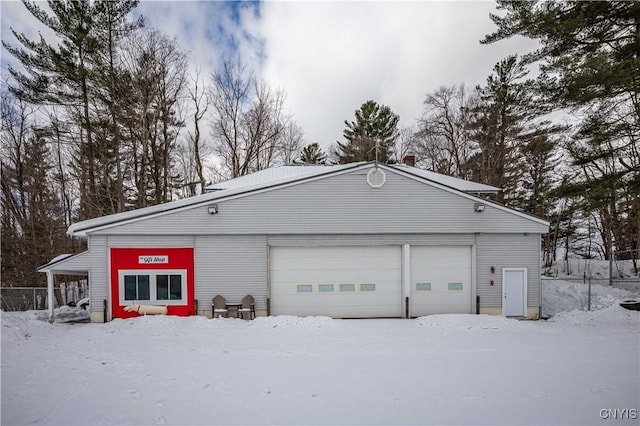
column 329, row 57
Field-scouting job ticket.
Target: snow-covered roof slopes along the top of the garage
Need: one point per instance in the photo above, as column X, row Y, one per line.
column 264, row 179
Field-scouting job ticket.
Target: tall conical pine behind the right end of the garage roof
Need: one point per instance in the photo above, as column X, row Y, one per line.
column 515, row 149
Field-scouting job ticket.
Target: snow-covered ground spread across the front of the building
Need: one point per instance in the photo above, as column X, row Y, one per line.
column 576, row 368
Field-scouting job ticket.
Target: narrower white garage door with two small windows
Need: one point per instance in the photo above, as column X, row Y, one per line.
column 440, row 280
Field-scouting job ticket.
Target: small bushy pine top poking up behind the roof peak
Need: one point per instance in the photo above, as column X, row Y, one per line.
column 370, row 136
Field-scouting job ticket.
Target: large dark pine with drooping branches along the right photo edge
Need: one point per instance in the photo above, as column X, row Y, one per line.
column 590, row 59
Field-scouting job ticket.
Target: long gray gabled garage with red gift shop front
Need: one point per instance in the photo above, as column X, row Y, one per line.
column 350, row 241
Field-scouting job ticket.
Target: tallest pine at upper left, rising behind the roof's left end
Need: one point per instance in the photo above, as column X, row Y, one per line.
column 78, row 74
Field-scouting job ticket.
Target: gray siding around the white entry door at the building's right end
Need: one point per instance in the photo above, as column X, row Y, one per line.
column 506, row 251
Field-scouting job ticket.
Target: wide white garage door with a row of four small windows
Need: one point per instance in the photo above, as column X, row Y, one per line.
column 340, row 282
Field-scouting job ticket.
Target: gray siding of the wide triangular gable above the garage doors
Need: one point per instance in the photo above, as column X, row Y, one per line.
column 342, row 204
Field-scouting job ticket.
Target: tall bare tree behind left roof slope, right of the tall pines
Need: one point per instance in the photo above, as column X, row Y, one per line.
column 157, row 71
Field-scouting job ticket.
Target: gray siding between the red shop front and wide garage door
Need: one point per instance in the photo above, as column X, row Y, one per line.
column 232, row 266
